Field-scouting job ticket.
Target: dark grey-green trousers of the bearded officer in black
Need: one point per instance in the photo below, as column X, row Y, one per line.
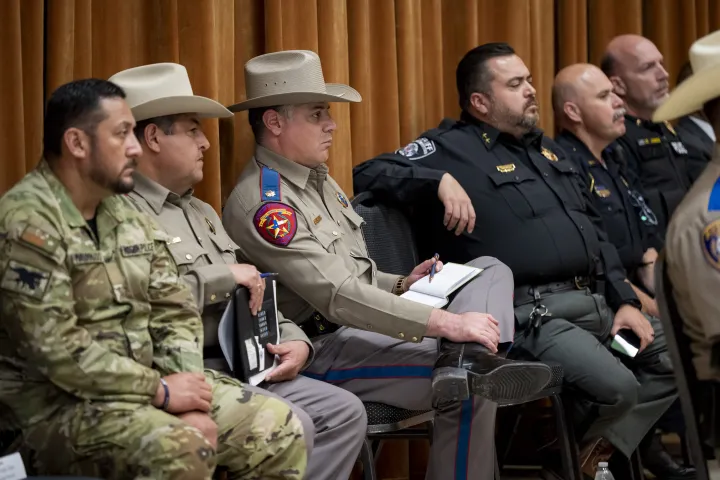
column 618, row 397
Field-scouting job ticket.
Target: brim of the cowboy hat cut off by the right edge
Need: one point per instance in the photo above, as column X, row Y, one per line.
column 690, row 95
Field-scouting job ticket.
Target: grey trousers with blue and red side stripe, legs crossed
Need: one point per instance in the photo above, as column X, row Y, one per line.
column 378, row 368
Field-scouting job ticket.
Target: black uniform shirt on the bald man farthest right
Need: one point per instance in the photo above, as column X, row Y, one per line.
column 659, row 159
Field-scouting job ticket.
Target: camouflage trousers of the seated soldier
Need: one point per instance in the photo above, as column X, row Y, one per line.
column 258, row 437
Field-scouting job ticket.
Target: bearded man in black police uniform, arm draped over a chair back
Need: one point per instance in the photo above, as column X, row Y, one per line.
column 570, row 295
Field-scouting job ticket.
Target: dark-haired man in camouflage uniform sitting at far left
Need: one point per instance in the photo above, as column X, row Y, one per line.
column 100, row 359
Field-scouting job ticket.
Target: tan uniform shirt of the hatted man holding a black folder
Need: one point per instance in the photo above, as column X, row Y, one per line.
column 202, row 250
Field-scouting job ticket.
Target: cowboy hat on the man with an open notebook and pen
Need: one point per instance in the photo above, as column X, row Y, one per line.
column 290, row 77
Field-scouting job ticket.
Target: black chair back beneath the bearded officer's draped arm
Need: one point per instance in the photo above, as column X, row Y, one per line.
column 388, row 235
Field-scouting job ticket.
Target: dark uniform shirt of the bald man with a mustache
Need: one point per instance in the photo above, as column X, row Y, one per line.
column 630, row 223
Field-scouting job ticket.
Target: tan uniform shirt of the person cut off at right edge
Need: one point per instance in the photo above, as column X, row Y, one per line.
column 693, row 259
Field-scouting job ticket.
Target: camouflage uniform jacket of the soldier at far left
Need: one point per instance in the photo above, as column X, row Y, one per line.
column 86, row 316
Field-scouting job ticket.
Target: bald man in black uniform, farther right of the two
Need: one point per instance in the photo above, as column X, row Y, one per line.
column 655, row 153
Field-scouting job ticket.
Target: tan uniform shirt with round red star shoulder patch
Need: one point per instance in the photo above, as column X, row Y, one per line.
column 325, row 267
